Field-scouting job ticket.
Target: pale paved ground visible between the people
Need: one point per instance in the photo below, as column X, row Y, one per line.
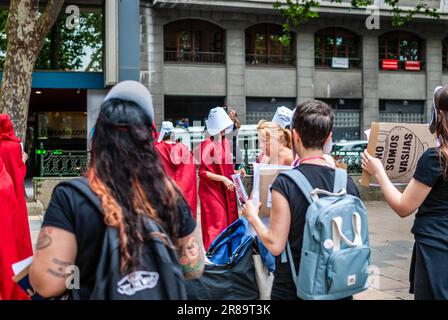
column 391, row 243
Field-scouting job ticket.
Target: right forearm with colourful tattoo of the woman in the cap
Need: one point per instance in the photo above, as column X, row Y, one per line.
column 191, row 255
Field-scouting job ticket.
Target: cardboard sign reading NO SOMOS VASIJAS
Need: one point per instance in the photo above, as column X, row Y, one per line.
column 399, row 146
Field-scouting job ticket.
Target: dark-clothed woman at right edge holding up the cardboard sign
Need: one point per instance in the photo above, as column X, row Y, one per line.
column 428, row 193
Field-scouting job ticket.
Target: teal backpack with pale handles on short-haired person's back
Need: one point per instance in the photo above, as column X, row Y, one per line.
column 335, row 254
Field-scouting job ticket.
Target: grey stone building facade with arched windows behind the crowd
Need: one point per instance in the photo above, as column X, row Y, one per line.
column 186, row 79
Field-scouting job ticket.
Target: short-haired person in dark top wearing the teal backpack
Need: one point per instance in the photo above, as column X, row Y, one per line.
column 311, row 129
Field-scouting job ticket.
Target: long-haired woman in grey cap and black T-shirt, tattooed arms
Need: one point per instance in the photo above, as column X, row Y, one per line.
column 128, row 178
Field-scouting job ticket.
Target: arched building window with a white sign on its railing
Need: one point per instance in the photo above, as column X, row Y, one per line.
column 337, row 48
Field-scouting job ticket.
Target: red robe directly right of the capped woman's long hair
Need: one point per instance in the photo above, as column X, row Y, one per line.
column 180, row 166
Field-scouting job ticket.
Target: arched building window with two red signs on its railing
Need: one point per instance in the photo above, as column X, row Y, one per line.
column 399, row 50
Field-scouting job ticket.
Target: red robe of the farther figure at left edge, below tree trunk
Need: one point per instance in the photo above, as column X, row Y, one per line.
column 11, row 154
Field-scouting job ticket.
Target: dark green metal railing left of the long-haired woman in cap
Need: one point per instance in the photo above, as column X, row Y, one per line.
column 58, row 163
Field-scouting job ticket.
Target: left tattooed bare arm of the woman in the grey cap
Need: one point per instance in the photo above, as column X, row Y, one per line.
column 55, row 252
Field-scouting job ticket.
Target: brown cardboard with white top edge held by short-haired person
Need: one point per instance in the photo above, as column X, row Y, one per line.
column 267, row 175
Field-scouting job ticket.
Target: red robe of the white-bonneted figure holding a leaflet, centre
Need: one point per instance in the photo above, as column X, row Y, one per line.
column 218, row 204
